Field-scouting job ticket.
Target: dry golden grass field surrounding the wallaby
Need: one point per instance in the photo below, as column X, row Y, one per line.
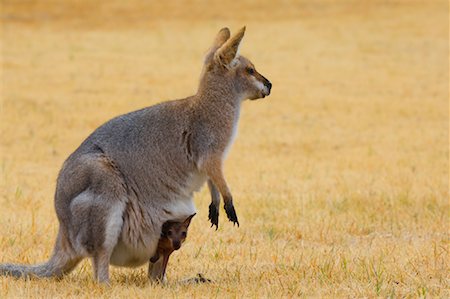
column 340, row 177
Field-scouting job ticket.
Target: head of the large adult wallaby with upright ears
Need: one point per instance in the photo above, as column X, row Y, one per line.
column 226, row 70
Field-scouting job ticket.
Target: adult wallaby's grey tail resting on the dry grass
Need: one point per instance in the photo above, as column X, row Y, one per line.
column 61, row 262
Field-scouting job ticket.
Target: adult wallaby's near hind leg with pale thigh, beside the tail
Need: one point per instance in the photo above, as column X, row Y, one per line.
column 97, row 212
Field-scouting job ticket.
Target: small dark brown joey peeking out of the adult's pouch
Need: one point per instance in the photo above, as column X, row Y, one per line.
column 173, row 234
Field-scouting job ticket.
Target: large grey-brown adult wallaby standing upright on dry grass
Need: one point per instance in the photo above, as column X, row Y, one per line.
column 139, row 170
